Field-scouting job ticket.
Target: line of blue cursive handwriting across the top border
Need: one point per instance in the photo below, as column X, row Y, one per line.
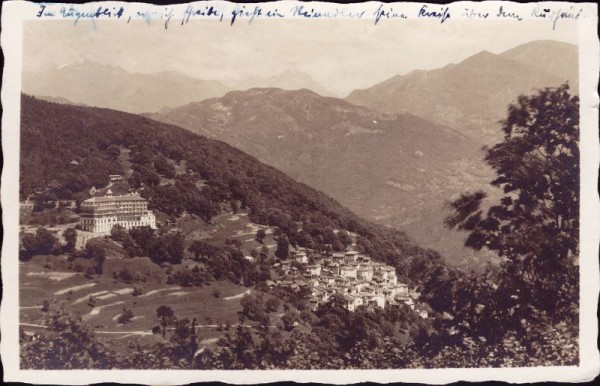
column 234, row 13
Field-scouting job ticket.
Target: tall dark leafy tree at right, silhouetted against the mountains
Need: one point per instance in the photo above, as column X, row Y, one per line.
column 535, row 225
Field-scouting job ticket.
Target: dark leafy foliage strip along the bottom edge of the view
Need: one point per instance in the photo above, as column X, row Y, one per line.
column 337, row 339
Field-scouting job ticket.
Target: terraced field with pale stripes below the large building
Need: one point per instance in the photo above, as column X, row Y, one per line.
column 110, row 298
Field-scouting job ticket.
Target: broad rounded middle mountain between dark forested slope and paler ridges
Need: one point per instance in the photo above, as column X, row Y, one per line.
column 395, row 169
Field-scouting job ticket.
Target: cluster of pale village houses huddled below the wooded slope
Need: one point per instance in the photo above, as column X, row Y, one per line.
column 358, row 279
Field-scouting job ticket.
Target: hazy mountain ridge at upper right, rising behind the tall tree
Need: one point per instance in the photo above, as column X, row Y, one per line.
column 473, row 95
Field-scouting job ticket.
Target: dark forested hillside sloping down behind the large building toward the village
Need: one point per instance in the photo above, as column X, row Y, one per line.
column 55, row 135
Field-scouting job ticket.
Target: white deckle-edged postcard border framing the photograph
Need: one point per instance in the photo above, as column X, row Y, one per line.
column 13, row 15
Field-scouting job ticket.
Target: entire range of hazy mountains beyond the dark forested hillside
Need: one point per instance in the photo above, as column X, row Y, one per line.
column 394, row 153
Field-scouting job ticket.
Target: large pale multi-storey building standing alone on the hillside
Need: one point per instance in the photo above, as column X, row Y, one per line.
column 101, row 214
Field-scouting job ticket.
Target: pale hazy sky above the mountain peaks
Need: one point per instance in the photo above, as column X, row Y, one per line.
column 341, row 55
